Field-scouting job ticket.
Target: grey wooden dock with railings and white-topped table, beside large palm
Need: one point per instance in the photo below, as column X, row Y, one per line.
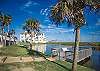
column 68, row 54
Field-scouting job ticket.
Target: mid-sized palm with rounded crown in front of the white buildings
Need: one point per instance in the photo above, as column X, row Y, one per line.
column 31, row 25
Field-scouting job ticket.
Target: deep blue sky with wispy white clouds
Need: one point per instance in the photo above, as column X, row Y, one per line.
column 20, row 10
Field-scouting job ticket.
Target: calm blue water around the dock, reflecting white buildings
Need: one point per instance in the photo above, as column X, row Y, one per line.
column 94, row 61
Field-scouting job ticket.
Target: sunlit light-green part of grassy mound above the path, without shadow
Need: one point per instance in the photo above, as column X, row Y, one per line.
column 13, row 50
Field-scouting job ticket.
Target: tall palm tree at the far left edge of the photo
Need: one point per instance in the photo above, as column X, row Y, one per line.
column 5, row 20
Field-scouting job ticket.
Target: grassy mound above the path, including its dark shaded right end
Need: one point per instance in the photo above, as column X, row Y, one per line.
column 15, row 50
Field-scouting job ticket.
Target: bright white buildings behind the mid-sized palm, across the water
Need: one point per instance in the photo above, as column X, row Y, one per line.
column 33, row 37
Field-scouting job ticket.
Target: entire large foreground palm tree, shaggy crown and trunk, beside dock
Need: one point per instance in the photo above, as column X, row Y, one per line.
column 71, row 11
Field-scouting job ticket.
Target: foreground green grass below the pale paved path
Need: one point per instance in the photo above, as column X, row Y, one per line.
column 43, row 66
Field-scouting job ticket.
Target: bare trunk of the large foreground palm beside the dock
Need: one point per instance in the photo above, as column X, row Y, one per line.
column 76, row 49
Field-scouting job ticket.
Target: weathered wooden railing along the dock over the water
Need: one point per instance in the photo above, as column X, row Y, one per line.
column 83, row 54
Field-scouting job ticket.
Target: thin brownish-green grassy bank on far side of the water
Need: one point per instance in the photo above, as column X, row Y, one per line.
column 81, row 43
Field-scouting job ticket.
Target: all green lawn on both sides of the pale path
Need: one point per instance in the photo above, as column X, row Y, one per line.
column 15, row 50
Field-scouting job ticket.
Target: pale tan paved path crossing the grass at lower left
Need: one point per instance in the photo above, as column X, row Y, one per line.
column 9, row 59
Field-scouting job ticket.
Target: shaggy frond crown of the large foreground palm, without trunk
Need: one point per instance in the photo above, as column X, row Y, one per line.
column 72, row 10
